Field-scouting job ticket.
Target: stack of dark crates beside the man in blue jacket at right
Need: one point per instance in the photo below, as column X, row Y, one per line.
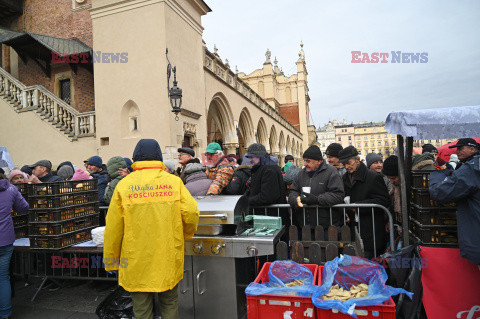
column 432, row 223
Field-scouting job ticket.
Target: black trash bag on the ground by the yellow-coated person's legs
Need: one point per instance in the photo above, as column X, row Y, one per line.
column 116, row 305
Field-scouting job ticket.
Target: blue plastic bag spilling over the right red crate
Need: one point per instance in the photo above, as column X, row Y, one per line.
column 351, row 270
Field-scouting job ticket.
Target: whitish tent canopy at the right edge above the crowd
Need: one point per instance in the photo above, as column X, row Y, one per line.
column 440, row 123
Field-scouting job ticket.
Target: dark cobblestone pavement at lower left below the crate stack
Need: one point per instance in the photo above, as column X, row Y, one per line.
column 78, row 299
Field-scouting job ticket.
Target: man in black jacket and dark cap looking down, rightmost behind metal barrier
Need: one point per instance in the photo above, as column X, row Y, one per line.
column 364, row 186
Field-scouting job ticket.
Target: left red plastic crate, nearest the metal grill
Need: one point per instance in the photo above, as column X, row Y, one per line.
column 275, row 306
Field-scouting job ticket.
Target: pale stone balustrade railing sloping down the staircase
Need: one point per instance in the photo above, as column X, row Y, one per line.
column 49, row 107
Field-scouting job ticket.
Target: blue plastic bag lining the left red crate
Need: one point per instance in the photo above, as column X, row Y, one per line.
column 281, row 273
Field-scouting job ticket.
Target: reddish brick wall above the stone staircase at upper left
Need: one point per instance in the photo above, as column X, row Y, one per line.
column 56, row 18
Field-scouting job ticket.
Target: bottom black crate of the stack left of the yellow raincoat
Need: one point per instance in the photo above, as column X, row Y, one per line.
column 61, row 241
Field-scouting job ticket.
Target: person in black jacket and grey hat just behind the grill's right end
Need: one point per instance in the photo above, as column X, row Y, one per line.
column 266, row 185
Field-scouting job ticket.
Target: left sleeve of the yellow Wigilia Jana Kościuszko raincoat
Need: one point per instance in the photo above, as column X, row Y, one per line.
column 113, row 235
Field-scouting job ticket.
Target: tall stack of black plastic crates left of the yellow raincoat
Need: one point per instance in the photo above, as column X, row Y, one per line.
column 62, row 214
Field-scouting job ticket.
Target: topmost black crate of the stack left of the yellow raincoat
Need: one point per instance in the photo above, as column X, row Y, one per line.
column 61, row 188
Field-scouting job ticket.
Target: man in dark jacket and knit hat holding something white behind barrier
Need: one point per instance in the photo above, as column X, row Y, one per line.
column 317, row 184
